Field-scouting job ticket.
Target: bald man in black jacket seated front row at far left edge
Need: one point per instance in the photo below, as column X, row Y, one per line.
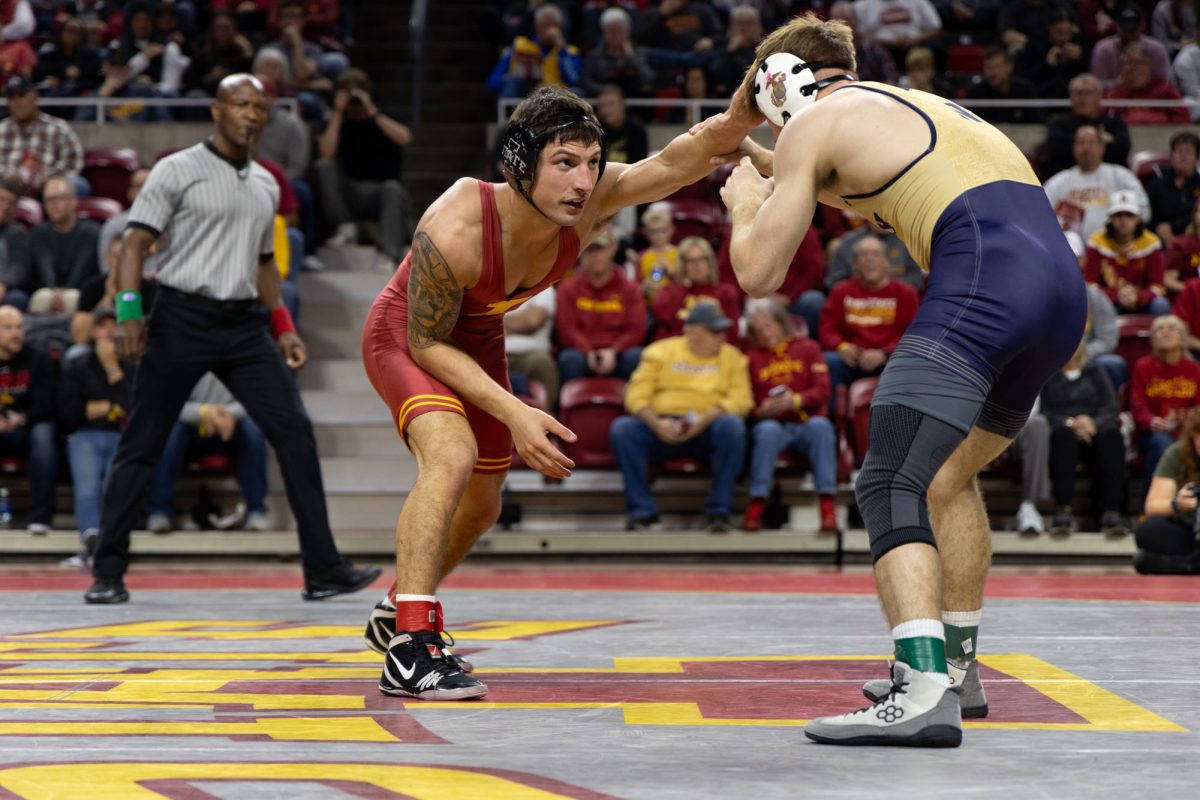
column 28, row 389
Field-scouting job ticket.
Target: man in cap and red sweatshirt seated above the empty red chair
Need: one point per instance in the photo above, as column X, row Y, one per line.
column 602, row 317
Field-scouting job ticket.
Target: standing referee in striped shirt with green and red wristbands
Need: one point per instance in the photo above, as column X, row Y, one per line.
column 214, row 208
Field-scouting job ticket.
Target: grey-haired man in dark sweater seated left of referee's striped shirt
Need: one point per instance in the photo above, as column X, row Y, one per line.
column 64, row 250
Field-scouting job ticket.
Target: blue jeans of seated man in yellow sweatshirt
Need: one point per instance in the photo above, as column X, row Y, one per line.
column 723, row 444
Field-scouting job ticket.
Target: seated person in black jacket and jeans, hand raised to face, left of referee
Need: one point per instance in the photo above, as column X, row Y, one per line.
column 95, row 398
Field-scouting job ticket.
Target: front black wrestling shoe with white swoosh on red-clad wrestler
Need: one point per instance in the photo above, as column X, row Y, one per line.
column 417, row 666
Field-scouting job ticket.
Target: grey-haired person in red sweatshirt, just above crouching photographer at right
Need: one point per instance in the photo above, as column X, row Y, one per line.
column 1162, row 390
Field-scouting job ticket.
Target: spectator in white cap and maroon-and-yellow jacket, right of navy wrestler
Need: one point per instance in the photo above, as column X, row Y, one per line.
column 1126, row 261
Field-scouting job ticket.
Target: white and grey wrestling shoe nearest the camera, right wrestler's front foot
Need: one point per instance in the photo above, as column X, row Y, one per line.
column 917, row 713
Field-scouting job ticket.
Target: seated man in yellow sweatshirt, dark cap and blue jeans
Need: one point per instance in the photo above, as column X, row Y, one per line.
column 687, row 400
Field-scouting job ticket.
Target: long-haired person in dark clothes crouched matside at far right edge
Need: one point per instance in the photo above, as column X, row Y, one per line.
column 1167, row 539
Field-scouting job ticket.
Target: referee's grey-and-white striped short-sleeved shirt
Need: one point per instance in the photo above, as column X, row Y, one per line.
column 214, row 222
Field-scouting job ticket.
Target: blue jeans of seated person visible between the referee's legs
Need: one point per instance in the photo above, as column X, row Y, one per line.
column 248, row 450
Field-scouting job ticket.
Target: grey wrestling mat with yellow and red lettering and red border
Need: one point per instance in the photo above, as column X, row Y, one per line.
column 607, row 682
